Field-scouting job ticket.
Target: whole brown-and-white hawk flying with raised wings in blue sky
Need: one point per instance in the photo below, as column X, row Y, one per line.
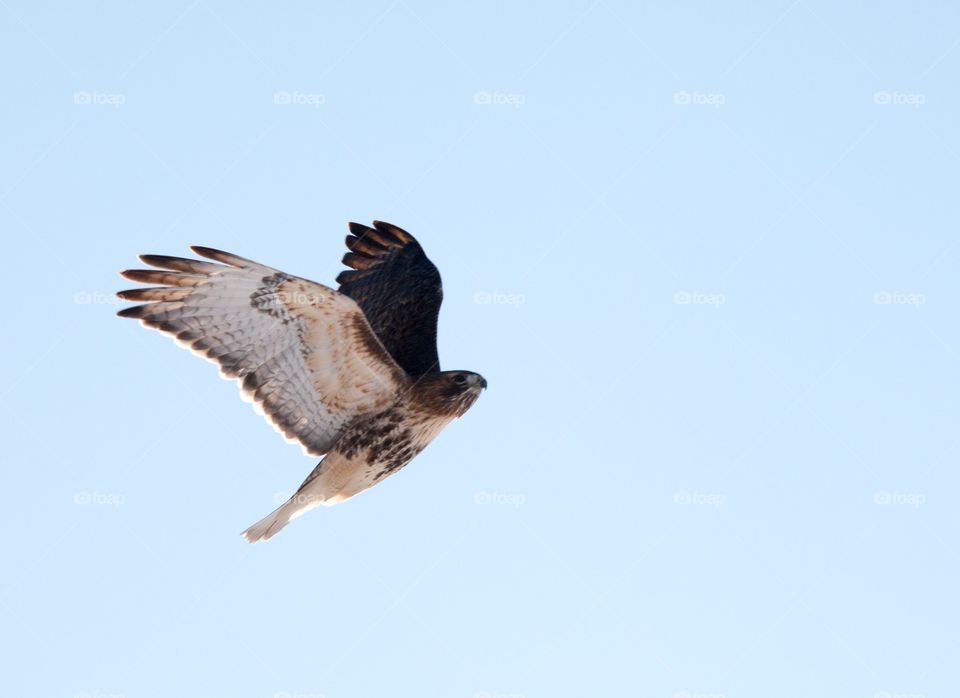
column 352, row 374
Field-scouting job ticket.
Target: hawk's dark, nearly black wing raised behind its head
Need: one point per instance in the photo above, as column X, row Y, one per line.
column 398, row 289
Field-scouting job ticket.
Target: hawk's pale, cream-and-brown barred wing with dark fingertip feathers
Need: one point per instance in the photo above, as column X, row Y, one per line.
column 303, row 353
